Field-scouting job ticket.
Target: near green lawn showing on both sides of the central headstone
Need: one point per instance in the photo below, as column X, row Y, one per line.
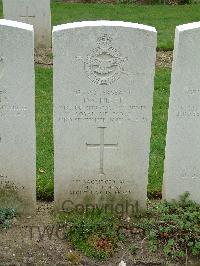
column 45, row 135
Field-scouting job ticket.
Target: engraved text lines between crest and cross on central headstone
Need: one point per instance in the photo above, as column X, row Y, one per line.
column 102, row 106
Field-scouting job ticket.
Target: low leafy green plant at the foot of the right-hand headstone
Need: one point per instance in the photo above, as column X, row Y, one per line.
column 174, row 227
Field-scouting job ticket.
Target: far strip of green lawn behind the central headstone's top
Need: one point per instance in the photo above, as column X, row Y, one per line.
column 165, row 18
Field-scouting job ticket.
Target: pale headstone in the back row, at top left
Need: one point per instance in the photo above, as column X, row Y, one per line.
column 34, row 12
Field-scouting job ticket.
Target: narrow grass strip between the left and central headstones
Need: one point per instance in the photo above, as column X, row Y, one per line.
column 44, row 115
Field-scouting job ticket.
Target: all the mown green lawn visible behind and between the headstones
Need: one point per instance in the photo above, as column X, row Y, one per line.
column 164, row 18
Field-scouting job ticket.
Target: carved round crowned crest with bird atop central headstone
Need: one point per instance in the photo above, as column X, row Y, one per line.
column 104, row 65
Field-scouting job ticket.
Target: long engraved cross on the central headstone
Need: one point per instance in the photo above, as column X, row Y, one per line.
column 102, row 145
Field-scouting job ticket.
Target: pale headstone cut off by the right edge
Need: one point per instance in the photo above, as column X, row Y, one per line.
column 182, row 162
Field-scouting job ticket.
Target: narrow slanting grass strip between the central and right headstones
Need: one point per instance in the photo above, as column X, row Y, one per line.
column 159, row 128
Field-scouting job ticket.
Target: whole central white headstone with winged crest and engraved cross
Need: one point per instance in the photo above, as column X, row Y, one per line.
column 103, row 88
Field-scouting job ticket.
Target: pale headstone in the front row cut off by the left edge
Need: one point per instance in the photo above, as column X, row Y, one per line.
column 17, row 116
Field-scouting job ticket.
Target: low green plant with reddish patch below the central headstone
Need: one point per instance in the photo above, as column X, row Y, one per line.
column 95, row 233
